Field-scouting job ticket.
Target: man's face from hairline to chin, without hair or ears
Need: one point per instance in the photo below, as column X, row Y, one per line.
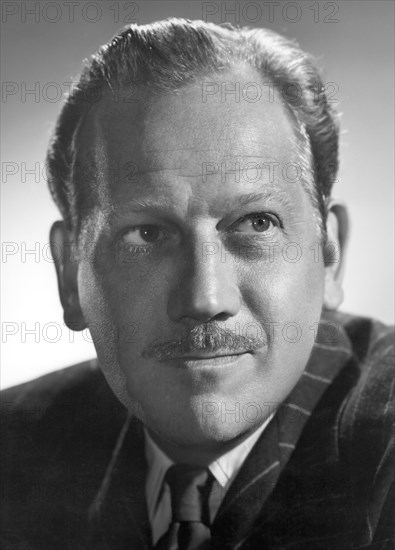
column 190, row 236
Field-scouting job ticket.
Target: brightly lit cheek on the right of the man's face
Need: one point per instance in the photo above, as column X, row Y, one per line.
column 286, row 298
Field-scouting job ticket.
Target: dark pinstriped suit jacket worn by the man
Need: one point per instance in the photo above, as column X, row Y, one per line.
column 321, row 476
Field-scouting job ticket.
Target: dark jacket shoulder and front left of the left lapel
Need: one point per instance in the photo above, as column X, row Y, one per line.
column 59, row 432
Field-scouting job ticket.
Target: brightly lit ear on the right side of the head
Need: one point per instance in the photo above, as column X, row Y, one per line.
column 334, row 253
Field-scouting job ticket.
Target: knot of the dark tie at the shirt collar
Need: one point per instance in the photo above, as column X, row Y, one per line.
column 189, row 490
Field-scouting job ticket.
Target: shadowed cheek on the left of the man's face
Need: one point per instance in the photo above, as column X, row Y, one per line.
column 121, row 322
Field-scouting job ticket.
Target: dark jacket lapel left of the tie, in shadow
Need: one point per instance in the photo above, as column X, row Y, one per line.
column 118, row 515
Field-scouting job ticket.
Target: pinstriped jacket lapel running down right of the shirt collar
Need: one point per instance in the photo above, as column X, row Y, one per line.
column 244, row 503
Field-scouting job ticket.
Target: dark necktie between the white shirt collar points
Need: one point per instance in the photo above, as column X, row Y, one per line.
column 190, row 488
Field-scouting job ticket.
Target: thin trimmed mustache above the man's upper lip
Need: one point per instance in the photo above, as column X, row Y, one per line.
column 210, row 337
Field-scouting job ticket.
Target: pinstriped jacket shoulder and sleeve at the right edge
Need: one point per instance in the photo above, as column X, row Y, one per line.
column 366, row 424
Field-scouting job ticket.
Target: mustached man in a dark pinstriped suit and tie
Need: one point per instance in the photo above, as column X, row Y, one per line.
column 200, row 245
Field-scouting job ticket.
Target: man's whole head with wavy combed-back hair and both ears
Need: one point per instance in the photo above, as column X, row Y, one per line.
column 200, row 222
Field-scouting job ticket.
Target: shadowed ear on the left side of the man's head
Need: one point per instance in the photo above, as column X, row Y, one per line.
column 64, row 253
